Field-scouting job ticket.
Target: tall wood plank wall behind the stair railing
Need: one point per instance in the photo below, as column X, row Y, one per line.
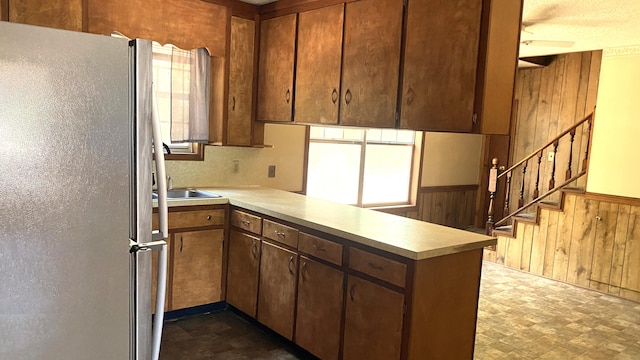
column 550, row 100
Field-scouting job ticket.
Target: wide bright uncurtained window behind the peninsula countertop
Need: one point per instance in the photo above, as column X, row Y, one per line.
column 363, row 167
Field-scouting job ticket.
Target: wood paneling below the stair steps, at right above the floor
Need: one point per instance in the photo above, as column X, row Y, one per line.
column 591, row 243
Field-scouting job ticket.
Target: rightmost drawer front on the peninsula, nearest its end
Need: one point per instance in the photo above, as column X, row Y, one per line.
column 377, row 266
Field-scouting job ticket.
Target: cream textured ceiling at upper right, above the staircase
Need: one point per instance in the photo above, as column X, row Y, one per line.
column 590, row 24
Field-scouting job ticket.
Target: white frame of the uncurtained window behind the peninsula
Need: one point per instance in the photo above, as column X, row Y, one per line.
column 414, row 173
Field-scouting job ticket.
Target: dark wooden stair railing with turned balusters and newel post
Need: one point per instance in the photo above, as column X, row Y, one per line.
column 571, row 174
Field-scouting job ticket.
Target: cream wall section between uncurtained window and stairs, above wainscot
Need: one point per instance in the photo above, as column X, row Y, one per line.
column 451, row 159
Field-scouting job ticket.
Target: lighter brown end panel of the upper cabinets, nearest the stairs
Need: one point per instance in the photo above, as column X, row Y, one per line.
column 497, row 65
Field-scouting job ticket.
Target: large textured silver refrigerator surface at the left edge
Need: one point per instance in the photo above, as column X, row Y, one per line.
column 65, row 174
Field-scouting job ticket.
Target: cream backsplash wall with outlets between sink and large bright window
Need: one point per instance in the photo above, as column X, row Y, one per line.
column 287, row 155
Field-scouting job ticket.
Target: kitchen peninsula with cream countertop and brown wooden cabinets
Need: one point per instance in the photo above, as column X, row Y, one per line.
column 344, row 282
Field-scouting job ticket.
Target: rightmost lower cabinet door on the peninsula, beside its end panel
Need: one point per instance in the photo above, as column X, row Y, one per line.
column 373, row 321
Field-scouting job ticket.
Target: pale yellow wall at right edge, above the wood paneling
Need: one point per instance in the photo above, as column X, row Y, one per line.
column 614, row 166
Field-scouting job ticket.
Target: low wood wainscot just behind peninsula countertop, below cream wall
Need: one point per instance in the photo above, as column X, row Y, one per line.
column 453, row 206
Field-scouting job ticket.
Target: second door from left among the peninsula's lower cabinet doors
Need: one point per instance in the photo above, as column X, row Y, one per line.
column 277, row 294
